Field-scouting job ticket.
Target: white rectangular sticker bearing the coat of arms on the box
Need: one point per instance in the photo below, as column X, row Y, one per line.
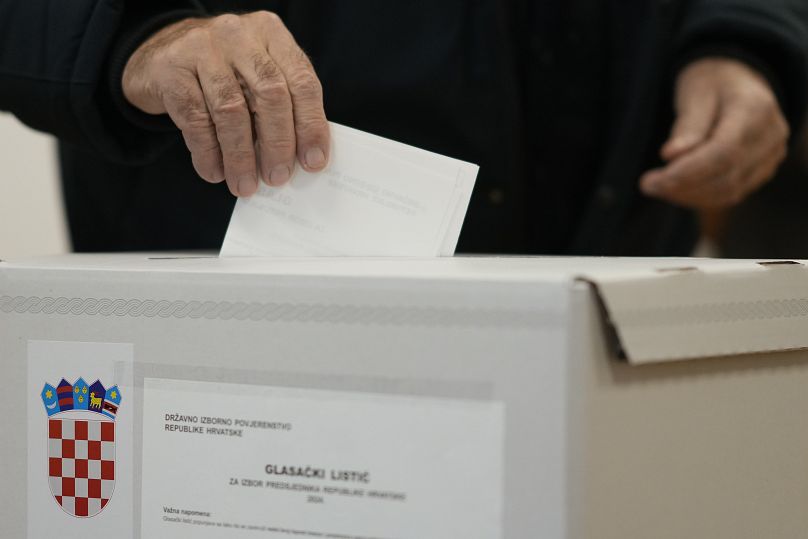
column 81, row 403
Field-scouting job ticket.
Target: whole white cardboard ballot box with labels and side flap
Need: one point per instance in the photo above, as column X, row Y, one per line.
column 150, row 397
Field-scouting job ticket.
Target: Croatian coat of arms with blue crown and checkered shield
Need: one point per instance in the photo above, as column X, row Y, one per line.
column 81, row 444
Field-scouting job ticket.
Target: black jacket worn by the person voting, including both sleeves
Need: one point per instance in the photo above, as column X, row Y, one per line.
column 564, row 104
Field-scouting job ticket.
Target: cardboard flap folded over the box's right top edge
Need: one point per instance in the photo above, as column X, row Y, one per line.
column 707, row 309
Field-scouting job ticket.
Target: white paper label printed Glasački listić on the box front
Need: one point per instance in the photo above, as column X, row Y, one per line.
column 226, row 460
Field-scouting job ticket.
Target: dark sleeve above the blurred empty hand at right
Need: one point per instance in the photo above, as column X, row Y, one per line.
column 770, row 35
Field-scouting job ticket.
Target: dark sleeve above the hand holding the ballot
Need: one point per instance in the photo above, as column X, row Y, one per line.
column 54, row 70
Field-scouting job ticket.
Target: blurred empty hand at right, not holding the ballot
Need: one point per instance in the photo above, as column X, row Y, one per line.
column 730, row 137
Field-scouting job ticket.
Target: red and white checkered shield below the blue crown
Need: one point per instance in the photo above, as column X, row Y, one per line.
column 81, row 464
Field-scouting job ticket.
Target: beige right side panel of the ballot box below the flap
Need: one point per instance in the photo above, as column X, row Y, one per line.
column 715, row 448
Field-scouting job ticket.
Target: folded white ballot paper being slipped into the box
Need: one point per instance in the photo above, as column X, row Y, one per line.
column 376, row 198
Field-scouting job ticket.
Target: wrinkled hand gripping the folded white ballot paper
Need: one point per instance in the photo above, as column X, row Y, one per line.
column 243, row 93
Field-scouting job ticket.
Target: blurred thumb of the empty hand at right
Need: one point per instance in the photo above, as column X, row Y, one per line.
column 697, row 112
